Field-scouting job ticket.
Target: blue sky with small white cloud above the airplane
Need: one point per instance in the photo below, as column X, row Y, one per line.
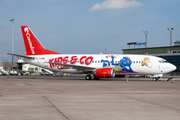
column 88, row 26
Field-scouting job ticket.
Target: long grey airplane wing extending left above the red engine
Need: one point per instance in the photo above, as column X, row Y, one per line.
column 83, row 68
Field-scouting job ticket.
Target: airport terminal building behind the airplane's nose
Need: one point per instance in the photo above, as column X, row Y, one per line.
column 171, row 54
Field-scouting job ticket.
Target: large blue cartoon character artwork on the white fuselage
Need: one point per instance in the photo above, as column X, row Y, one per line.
column 123, row 66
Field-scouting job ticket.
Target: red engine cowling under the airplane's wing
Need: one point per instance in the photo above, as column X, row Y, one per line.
column 104, row 73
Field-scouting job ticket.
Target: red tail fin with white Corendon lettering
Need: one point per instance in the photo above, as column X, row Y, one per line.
column 32, row 45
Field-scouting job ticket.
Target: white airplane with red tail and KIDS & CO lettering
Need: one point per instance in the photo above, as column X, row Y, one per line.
column 94, row 65
